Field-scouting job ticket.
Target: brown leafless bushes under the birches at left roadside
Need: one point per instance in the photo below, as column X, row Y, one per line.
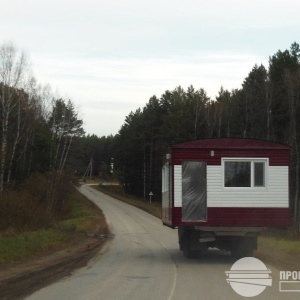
column 38, row 203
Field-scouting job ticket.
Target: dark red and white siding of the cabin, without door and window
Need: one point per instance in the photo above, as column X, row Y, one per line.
column 252, row 207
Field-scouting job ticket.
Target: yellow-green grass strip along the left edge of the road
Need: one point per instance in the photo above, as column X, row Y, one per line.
column 81, row 218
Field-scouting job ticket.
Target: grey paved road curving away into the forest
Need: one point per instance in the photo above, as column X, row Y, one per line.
column 143, row 261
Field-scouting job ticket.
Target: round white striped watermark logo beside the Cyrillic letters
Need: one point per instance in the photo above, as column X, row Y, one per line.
column 249, row 277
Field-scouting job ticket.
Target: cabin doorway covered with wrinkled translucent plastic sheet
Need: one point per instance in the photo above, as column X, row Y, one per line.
column 194, row 191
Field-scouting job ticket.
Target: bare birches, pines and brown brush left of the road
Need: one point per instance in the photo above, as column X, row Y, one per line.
column 37, row 131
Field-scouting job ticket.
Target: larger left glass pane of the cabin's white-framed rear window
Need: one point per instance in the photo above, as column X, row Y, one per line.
column 237, row 174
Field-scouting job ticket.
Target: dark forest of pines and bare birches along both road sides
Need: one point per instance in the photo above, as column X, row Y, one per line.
column 43, row 134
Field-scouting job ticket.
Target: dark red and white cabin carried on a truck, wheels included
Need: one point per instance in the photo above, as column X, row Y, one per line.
column 222, row 192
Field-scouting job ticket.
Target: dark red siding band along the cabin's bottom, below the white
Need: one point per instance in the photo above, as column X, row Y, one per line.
column 240, row 216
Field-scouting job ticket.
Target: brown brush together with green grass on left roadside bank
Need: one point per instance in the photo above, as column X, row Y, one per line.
column 27, row 229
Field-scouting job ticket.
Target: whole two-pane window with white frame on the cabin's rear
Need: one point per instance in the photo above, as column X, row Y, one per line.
column 244, row 173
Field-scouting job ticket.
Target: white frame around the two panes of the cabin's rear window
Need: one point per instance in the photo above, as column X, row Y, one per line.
column 252, row 161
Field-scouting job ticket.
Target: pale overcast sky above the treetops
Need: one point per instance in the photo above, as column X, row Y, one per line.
column 109, row 57
